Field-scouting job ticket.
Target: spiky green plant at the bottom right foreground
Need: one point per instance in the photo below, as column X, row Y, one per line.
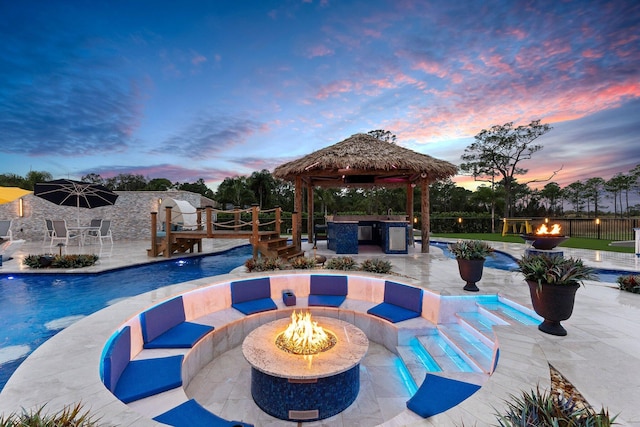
column 544, row 409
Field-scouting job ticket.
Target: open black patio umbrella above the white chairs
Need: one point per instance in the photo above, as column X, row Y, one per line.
column 67, row 192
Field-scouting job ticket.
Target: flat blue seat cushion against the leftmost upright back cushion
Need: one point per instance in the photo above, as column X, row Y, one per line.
column 144, row 378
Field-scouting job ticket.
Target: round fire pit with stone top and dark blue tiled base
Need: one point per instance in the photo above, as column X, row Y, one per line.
column 298, row 387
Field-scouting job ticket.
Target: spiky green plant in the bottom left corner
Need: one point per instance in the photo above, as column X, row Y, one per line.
column 69, row 416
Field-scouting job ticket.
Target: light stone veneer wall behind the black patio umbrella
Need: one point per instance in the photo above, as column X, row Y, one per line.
column 130, row 216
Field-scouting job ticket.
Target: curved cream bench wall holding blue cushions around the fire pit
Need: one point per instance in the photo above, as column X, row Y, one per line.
column 212, row 305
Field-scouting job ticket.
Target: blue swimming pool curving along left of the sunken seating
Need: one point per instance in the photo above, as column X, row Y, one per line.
column 34, row 307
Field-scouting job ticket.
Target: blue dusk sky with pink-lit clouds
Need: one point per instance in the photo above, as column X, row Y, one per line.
column 214, row 89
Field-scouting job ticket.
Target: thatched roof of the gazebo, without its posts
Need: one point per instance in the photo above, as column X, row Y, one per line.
column 363, row 160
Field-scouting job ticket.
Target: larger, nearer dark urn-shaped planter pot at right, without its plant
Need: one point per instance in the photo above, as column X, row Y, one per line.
column 554, row 303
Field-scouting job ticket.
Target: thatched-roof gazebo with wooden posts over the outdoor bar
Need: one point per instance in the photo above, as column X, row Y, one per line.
column 363, row 161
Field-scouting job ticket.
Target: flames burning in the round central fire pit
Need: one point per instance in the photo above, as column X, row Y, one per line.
column 304, row 336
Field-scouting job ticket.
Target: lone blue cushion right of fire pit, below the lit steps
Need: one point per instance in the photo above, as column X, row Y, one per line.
column 438, row 394
